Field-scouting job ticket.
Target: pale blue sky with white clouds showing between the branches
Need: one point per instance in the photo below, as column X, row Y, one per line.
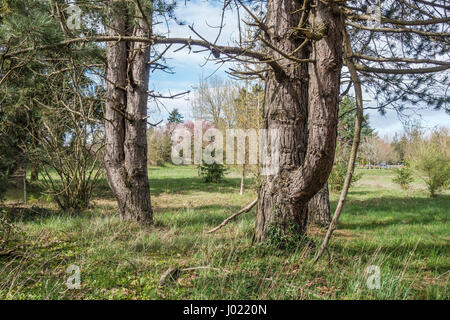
column 190, row 67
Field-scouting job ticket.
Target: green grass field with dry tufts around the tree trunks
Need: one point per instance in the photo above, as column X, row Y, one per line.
column 405, row 233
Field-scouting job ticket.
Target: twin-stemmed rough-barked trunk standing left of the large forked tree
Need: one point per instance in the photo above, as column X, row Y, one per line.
column 126, row 111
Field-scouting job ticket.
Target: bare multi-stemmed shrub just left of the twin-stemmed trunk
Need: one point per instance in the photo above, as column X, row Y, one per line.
column 69, row 153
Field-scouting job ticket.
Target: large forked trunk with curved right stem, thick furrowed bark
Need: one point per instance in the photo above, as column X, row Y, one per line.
column 302, row 104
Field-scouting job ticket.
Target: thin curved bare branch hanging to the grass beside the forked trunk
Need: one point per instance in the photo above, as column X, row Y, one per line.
column 356, row 140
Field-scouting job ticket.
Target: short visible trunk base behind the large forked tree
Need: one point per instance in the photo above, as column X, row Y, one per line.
column 319, row 208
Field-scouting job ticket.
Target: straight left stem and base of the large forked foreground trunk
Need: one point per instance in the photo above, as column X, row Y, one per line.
column 285, row 109
